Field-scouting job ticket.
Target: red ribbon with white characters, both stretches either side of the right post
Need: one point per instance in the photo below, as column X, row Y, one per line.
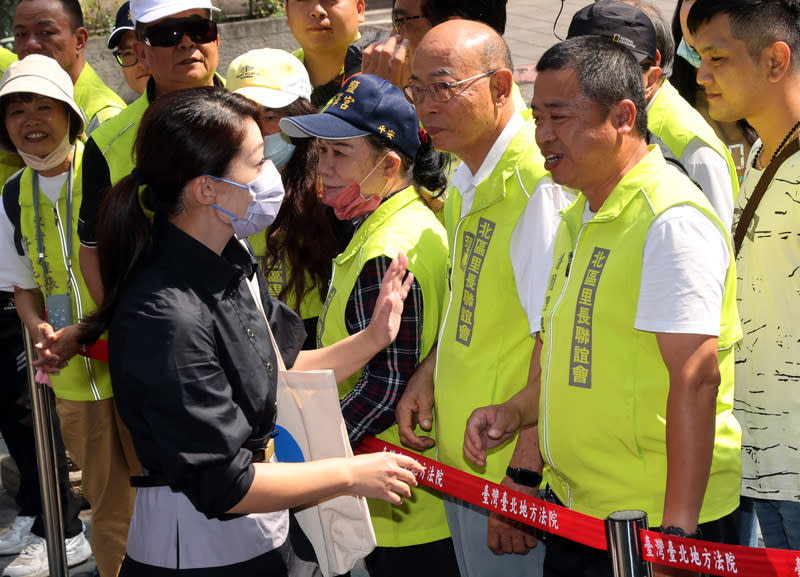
column 690, row 554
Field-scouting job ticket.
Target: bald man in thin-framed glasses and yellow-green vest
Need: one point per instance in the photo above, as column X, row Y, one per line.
column 501, row 204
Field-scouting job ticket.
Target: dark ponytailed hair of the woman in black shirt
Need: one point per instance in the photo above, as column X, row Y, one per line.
column 183, row 134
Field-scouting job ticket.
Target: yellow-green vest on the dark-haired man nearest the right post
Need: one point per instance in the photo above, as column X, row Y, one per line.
column 602, row 409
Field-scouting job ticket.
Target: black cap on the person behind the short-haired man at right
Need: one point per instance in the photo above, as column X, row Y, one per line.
column 619, row 21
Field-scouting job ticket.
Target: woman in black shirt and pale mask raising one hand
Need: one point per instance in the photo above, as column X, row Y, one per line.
column 191, row 360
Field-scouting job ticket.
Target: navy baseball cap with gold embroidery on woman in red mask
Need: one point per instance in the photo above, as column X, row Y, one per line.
column 366, row 104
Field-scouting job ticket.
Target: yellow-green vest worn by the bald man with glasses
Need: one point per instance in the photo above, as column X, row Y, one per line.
column 485, row 344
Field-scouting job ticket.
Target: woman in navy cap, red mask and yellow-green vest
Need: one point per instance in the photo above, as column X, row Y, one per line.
column 373, row 160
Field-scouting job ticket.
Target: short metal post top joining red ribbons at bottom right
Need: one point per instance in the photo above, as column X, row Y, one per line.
column 624, row 545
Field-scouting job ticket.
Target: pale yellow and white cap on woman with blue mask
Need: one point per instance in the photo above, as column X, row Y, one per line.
column 273, row 78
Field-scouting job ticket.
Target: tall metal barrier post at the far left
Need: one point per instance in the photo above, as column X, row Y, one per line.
column 43, row 409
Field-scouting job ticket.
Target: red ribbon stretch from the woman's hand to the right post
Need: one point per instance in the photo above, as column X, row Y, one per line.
column 507, row 502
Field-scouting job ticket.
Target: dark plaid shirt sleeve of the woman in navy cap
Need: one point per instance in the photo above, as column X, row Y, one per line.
column 369, row 408
